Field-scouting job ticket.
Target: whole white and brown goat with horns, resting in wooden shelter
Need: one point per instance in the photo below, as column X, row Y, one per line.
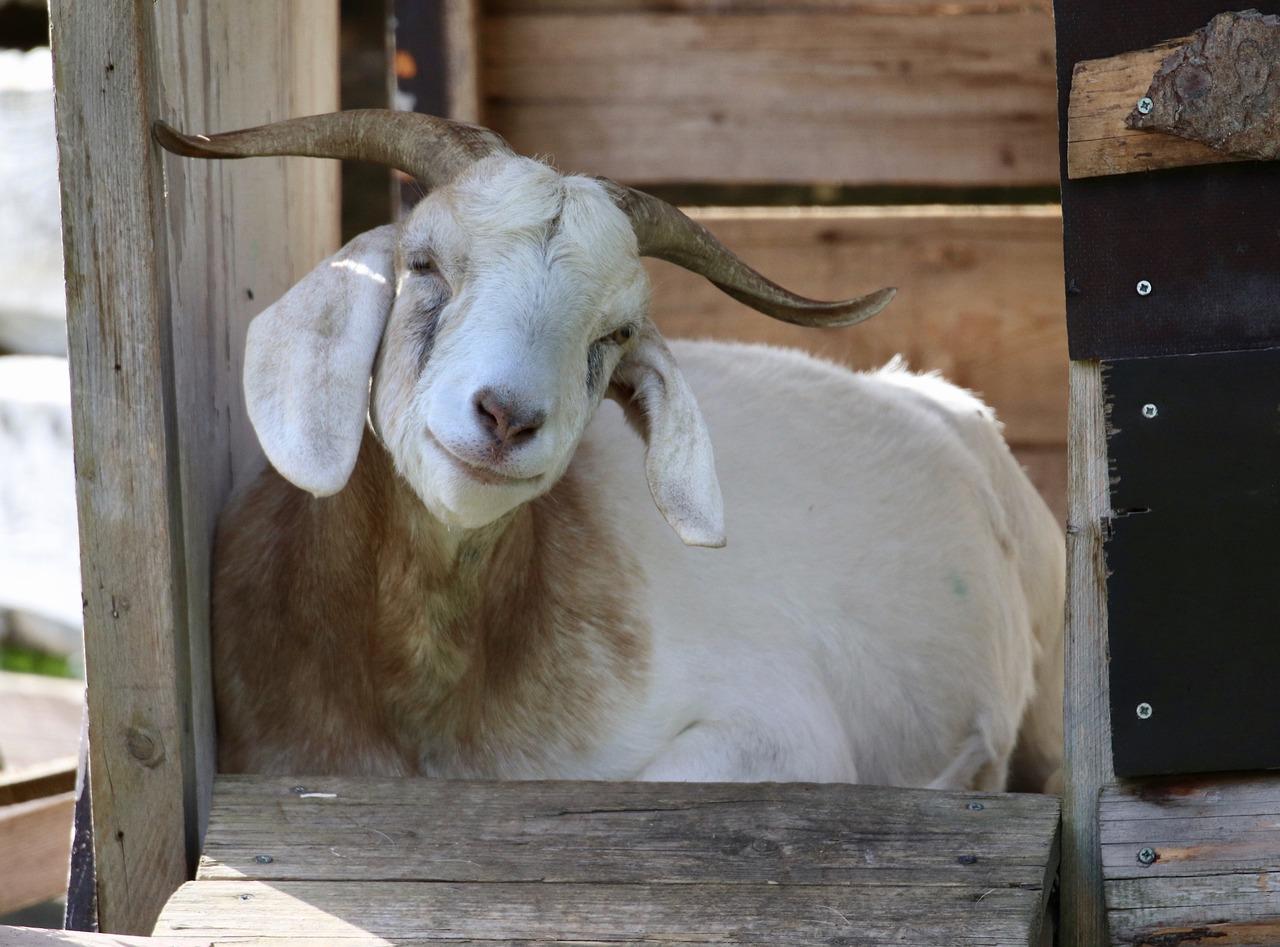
column 452, row 571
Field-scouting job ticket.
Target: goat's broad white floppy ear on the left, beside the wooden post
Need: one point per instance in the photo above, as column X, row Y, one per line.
column 309, row 358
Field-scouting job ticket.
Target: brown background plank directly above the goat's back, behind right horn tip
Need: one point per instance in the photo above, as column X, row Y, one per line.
column 981, row 296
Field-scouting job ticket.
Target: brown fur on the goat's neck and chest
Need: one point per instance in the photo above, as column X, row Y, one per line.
column 348, row 643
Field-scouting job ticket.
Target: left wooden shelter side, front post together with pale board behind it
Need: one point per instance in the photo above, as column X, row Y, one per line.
column 159, row 294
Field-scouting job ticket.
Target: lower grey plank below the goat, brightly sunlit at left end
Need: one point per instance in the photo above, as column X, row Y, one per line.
column 403, row 913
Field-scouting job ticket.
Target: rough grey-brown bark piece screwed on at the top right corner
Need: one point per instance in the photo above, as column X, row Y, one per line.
column 1222, row 88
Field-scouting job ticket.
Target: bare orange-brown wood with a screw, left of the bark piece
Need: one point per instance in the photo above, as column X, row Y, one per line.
column 1104, row 94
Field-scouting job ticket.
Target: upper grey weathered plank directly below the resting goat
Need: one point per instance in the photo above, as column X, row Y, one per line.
column 390, row 830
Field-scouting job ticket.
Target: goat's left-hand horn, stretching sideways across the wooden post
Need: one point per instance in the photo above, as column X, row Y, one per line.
column 431, row 149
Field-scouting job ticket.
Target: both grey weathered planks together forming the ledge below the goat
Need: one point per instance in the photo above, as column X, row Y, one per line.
column 344, row 861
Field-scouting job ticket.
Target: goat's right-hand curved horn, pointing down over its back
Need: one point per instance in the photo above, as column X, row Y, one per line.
column 666, row 234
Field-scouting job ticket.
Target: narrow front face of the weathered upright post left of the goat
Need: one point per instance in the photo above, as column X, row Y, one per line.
column 126, row 454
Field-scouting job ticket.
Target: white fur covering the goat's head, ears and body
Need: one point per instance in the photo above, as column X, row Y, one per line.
column 890, row 601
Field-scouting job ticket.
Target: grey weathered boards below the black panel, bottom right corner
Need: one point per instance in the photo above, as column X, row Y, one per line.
column 1217, row 871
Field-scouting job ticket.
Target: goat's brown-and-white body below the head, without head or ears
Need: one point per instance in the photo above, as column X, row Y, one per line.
column 889, row 609
